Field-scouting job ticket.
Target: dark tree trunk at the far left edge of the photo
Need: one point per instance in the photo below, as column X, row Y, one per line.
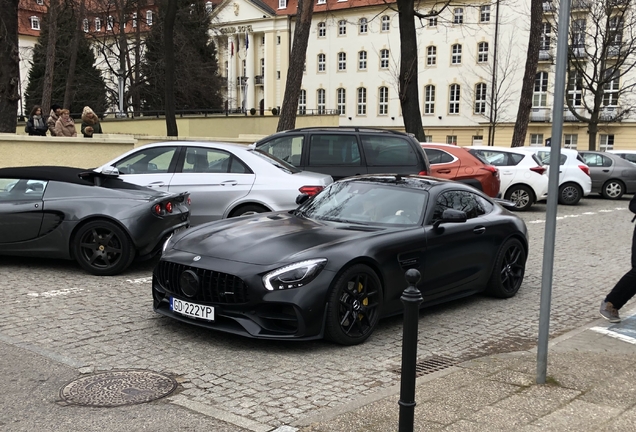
column 9, row 66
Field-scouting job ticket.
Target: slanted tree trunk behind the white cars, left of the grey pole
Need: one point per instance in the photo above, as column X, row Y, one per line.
column 527, row 86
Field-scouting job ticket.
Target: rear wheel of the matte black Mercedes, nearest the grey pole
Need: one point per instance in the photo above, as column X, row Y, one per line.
column 508, row 271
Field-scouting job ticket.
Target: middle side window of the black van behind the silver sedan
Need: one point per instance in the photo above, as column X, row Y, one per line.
column 334, row 150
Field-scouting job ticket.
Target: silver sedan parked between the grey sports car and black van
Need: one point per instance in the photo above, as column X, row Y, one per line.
column 224, row 180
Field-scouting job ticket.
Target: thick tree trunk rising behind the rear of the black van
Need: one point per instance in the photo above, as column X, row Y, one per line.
column 408, row 87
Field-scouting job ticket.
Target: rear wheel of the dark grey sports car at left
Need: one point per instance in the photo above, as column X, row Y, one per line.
column 102, row 248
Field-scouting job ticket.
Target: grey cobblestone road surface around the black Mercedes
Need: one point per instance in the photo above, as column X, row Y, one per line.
column 92, row 323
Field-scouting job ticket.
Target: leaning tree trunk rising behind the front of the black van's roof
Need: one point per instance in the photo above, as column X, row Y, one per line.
column 289, row 108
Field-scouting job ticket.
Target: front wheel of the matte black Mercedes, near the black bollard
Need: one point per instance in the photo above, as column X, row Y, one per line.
column 354, row 306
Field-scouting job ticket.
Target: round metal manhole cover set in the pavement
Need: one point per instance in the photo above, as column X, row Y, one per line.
column 116, row 388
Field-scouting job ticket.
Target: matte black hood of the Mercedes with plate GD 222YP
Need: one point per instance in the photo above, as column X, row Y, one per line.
column 269, row 239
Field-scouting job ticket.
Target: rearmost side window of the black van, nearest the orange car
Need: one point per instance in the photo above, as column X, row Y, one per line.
column 388, row 151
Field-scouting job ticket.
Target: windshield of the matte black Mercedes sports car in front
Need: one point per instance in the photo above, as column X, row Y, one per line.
column 367, row 203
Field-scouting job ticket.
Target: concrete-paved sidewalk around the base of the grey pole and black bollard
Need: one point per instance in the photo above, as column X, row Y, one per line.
column 591, row 387
